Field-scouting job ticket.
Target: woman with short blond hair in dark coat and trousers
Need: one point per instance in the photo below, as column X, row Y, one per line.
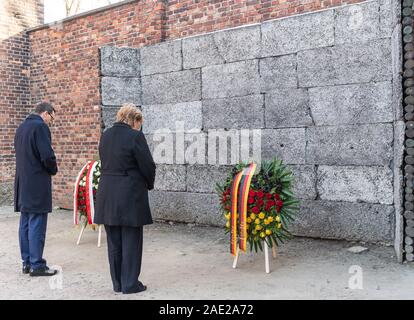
column 128, row 172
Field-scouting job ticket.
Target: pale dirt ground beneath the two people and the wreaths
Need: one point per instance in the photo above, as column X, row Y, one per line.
column 183, row 261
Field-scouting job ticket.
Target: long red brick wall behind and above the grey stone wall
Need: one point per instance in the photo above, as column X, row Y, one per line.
column 65, row 61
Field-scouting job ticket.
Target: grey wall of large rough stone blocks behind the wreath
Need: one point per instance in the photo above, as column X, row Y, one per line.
column 325, row 90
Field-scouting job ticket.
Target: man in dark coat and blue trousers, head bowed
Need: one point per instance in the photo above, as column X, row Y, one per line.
column 35, row 164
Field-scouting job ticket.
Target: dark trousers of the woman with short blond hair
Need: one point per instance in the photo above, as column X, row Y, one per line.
column 125, row 256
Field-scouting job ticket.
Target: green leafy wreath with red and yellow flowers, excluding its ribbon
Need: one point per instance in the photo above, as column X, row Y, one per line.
column 271, row 205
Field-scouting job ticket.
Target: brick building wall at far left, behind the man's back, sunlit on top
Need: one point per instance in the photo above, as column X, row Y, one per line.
column 15, row 17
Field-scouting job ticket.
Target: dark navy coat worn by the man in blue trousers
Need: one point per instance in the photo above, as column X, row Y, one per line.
column 35, row 164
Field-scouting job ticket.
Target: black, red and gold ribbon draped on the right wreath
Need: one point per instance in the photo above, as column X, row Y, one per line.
column 239, row 197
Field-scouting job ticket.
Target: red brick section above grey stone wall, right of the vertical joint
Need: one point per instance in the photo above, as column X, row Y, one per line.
column 188, row 17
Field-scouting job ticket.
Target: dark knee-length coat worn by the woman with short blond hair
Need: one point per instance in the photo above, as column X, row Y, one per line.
column 128, row 172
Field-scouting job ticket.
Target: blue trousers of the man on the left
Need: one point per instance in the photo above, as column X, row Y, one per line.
column 32, row 236
